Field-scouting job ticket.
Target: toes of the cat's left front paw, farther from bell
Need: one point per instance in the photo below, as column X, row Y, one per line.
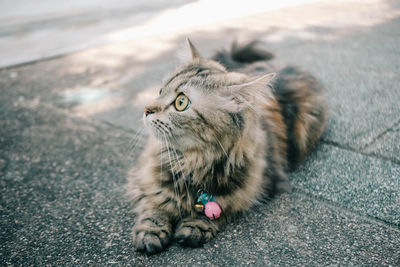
column 150, row 240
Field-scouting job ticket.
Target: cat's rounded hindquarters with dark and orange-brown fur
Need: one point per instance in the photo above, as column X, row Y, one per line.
column 304, row 110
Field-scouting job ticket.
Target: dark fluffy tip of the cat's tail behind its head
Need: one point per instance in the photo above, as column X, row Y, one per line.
column 240, row 55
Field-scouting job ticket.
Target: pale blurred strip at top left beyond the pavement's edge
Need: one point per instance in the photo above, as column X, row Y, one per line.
column 31, row 30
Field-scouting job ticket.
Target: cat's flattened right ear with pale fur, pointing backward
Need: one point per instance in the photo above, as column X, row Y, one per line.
column 240, row 95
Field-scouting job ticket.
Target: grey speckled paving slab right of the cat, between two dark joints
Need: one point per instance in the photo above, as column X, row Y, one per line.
column 365, row 184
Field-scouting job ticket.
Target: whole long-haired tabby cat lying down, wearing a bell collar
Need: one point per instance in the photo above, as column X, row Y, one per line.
column 222, row 140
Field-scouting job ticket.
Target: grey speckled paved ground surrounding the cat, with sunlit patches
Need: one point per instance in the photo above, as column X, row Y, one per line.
column 66, row 125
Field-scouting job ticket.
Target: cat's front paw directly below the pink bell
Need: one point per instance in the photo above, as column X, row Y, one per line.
column 195, row 232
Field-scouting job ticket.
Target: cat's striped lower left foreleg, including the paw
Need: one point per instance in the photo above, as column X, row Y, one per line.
column 152, row 231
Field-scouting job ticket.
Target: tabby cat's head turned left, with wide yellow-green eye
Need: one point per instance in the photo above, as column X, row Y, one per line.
column 202, row 102
